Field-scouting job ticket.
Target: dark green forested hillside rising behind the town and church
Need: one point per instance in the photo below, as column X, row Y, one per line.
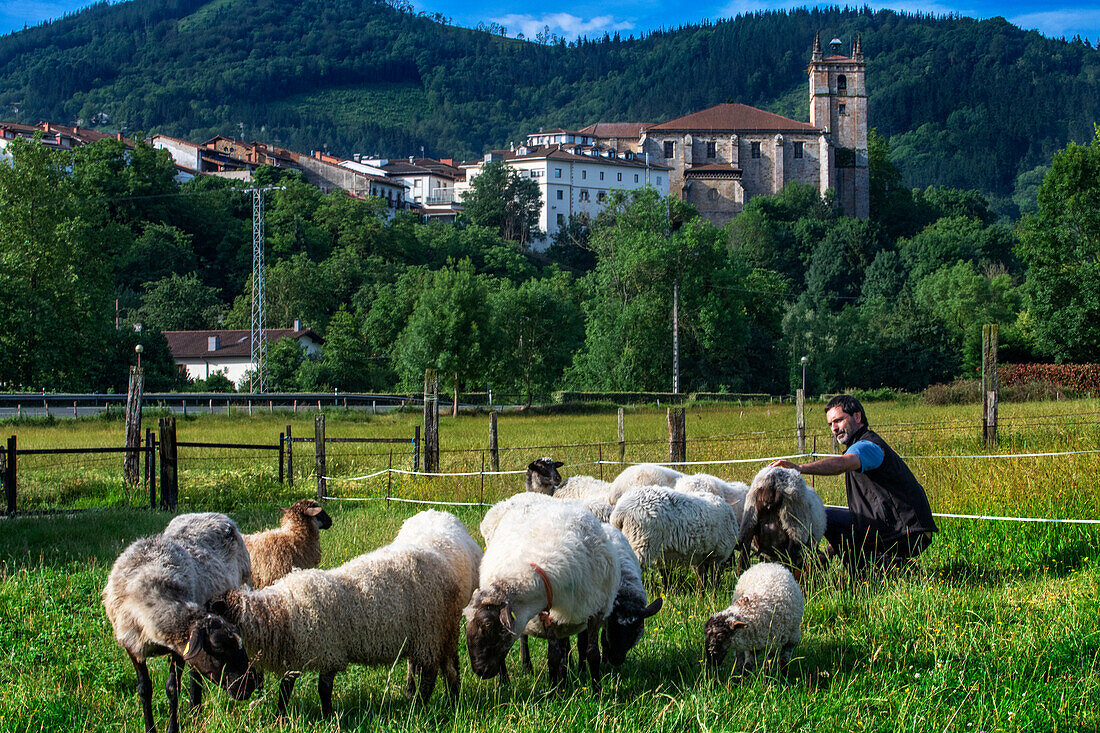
column 965, row 104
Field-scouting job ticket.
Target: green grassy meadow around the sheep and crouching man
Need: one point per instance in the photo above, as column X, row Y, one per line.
column 996, row 630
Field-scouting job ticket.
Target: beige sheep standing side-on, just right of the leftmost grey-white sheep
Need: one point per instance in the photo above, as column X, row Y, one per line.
column 400, row 601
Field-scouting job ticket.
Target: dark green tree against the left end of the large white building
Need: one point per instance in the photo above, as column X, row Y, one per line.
column 502, row 200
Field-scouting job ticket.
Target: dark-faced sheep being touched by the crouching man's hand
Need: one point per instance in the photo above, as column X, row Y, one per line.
column 784, row 518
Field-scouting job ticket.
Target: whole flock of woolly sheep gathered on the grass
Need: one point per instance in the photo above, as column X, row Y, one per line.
column 563, row 560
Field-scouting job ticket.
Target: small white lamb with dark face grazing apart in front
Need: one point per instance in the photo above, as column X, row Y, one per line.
column 766, row 615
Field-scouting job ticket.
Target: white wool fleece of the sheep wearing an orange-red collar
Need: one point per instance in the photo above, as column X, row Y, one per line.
column 568, row 543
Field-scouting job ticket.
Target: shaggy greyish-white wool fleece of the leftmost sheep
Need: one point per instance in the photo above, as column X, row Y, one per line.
column 159, row 585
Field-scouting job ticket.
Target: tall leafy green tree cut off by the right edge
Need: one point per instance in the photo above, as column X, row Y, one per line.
column 1061, row 247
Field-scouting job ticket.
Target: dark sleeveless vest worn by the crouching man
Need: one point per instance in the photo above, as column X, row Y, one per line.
column 888, row 500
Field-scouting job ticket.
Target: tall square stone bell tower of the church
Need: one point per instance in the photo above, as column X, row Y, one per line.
column 839, row 106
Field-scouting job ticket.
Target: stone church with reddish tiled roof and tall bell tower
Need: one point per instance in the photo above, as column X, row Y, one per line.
column 722, row 157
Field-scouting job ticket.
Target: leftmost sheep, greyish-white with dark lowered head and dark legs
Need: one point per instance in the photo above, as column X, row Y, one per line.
column 155, row 599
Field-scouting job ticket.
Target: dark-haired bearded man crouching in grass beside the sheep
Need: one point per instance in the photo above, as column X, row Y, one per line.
column 888, row 519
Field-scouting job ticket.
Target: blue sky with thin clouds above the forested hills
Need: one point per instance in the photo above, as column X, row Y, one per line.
column 574, row 18
